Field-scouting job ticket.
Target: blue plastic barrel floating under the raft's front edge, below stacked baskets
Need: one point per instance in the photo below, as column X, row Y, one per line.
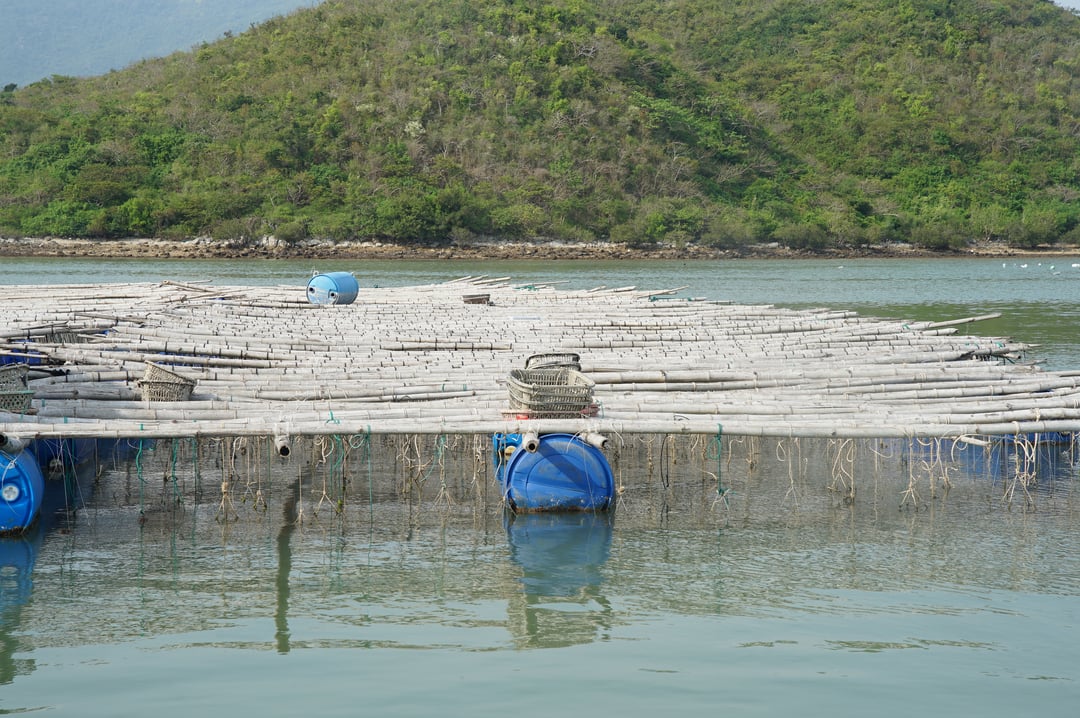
column 552, row 472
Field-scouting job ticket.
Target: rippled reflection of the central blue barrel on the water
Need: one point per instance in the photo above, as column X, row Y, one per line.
column 562, row 558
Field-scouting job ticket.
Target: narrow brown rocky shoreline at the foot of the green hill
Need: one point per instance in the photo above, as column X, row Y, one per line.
column 207, row 249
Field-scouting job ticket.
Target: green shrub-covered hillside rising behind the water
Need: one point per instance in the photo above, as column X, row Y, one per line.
column 718, row 123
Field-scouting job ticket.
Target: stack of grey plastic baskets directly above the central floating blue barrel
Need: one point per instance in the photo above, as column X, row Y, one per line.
column 551, row 386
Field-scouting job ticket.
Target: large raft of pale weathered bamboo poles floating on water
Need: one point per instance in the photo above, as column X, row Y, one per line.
column 433, row 360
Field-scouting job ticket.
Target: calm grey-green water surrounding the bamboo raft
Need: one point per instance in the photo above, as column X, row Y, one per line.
column 371, row 577
